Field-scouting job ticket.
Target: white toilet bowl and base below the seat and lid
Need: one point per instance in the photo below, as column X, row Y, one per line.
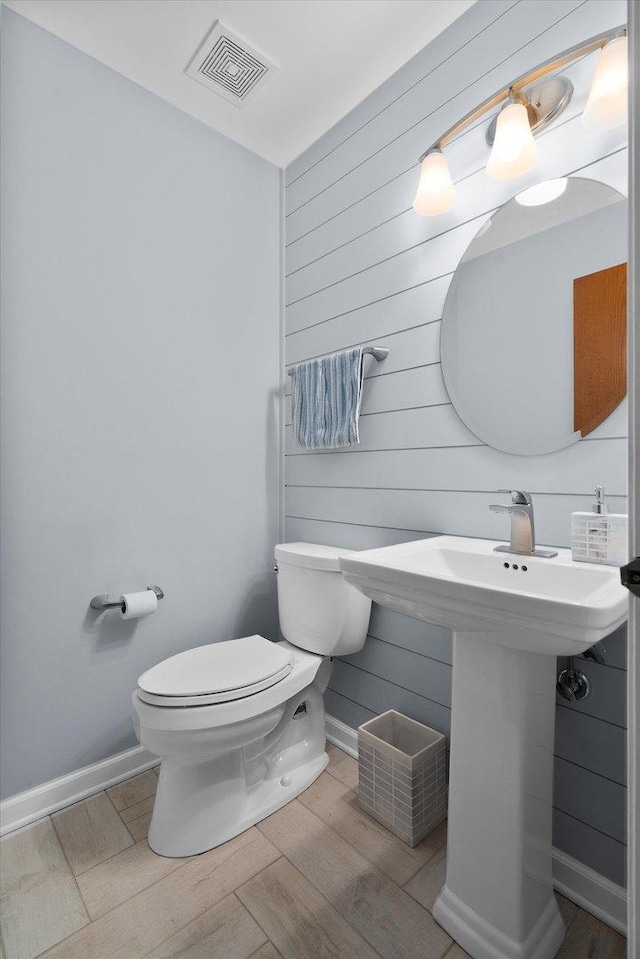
column 217, row 782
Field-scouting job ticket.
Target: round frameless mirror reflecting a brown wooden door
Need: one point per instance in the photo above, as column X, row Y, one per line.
column 533, row 336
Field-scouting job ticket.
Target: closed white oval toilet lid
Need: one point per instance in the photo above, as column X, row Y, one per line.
column 216, row 673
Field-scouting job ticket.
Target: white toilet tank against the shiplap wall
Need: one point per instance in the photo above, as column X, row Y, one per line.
column 319, row 611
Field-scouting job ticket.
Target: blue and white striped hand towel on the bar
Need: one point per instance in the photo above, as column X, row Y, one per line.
column 326, row 395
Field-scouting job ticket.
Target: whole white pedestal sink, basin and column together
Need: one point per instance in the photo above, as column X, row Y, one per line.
column 511, row 616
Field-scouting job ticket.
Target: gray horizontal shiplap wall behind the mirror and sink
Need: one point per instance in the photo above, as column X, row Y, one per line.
column 362, row 267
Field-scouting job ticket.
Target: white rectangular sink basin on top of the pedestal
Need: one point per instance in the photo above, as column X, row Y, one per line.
column 548, row 606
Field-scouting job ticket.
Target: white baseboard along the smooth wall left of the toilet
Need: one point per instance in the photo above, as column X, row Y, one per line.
column 27, row 807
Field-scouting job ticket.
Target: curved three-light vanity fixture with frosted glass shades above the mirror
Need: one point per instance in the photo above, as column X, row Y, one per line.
column 533, row 101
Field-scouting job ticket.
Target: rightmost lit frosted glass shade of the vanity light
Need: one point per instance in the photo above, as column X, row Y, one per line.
column 607, row 104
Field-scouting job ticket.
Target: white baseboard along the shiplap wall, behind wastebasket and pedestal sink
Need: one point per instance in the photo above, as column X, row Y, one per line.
column 587, row 888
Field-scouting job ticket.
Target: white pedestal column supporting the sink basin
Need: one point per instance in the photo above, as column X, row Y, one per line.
column 498, row 901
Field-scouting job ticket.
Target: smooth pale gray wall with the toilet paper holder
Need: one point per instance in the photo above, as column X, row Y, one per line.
column 140, row 409
